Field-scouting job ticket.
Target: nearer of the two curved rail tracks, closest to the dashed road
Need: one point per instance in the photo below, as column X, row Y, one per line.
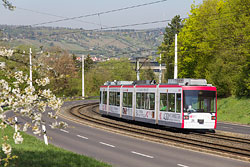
column 166, row 137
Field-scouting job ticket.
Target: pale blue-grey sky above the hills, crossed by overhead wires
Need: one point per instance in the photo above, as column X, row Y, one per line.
column 32, row 12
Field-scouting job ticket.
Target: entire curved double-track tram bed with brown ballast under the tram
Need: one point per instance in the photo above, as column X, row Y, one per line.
column 230, row 146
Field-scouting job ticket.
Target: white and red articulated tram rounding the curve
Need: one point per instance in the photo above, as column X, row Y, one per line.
column 182, row 103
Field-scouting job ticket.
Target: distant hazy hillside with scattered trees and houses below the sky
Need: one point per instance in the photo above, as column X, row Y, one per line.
column 113, row 43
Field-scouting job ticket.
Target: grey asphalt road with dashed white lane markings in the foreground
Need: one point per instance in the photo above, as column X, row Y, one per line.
column 124, row 151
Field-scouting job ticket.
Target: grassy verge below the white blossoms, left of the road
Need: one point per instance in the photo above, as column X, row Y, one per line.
column 34, row 153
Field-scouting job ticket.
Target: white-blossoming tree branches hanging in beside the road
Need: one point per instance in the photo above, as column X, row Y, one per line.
column 25, row 100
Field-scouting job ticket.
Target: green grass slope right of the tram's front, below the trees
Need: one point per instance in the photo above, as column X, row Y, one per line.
column 234, row 110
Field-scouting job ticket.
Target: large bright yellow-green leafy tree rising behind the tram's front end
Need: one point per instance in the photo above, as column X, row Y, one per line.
column 214, row 44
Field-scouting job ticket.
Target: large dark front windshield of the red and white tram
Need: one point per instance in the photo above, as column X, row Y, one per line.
column 199, row 101
